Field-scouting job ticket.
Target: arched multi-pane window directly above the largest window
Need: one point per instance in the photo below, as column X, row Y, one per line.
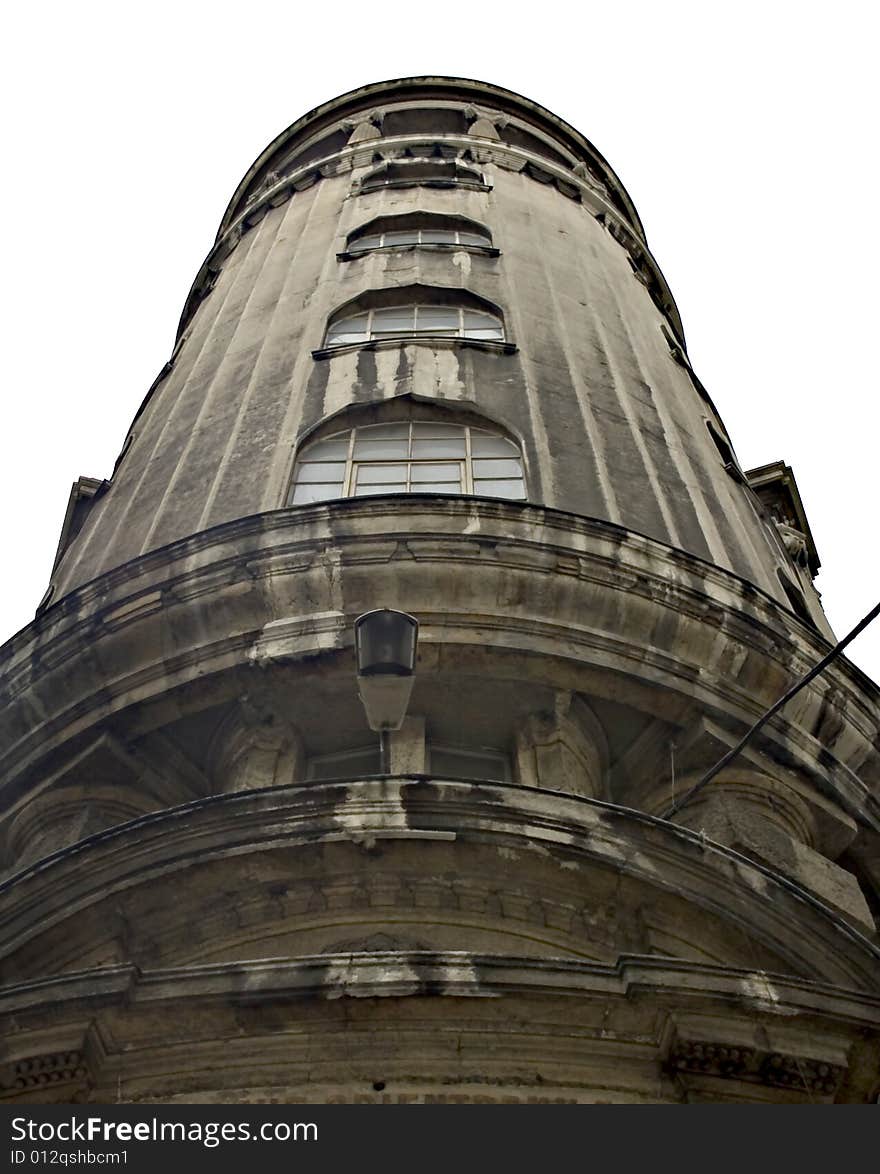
column 410, row 321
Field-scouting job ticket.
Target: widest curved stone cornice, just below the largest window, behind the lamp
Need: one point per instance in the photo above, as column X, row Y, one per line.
column 104, row 646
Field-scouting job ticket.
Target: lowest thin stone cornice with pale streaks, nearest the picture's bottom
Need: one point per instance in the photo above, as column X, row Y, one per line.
column 401, row 974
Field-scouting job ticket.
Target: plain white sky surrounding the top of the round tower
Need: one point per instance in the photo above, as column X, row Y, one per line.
column 746, row 136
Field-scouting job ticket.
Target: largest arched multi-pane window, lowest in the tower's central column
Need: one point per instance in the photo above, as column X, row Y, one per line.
column 409, row 457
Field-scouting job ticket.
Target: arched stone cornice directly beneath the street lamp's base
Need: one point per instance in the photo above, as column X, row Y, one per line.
column 761, row 903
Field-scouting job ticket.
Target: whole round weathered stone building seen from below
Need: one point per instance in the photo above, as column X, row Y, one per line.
column 431, row 366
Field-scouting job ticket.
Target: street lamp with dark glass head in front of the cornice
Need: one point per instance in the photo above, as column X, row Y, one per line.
column 385, row 649
